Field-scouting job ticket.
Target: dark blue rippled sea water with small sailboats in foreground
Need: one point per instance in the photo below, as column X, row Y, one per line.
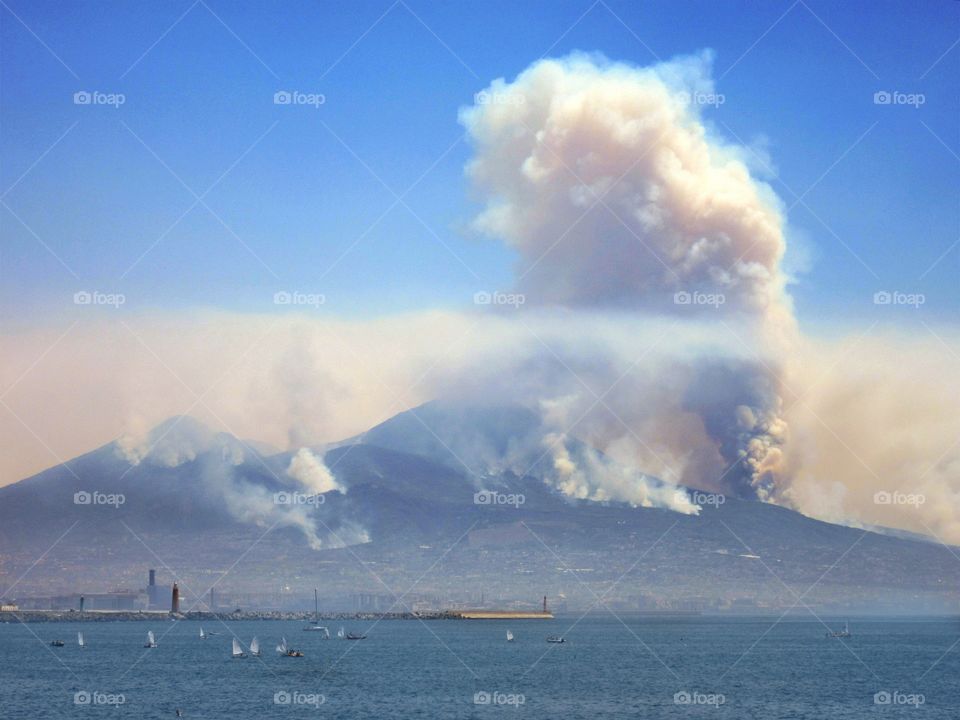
column 408, row 669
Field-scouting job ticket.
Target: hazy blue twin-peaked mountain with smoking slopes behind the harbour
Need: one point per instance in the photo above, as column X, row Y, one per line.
column 398, row 508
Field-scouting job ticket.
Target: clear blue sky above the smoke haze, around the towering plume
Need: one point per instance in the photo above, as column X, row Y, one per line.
column 199, row 81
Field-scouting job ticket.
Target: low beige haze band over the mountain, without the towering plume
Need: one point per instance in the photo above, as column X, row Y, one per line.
column 869, row 415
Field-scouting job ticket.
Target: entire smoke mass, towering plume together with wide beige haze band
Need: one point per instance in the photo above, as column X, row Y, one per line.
column 656, row 328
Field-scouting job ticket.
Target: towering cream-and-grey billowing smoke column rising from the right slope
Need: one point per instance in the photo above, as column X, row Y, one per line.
column 606, row 181
